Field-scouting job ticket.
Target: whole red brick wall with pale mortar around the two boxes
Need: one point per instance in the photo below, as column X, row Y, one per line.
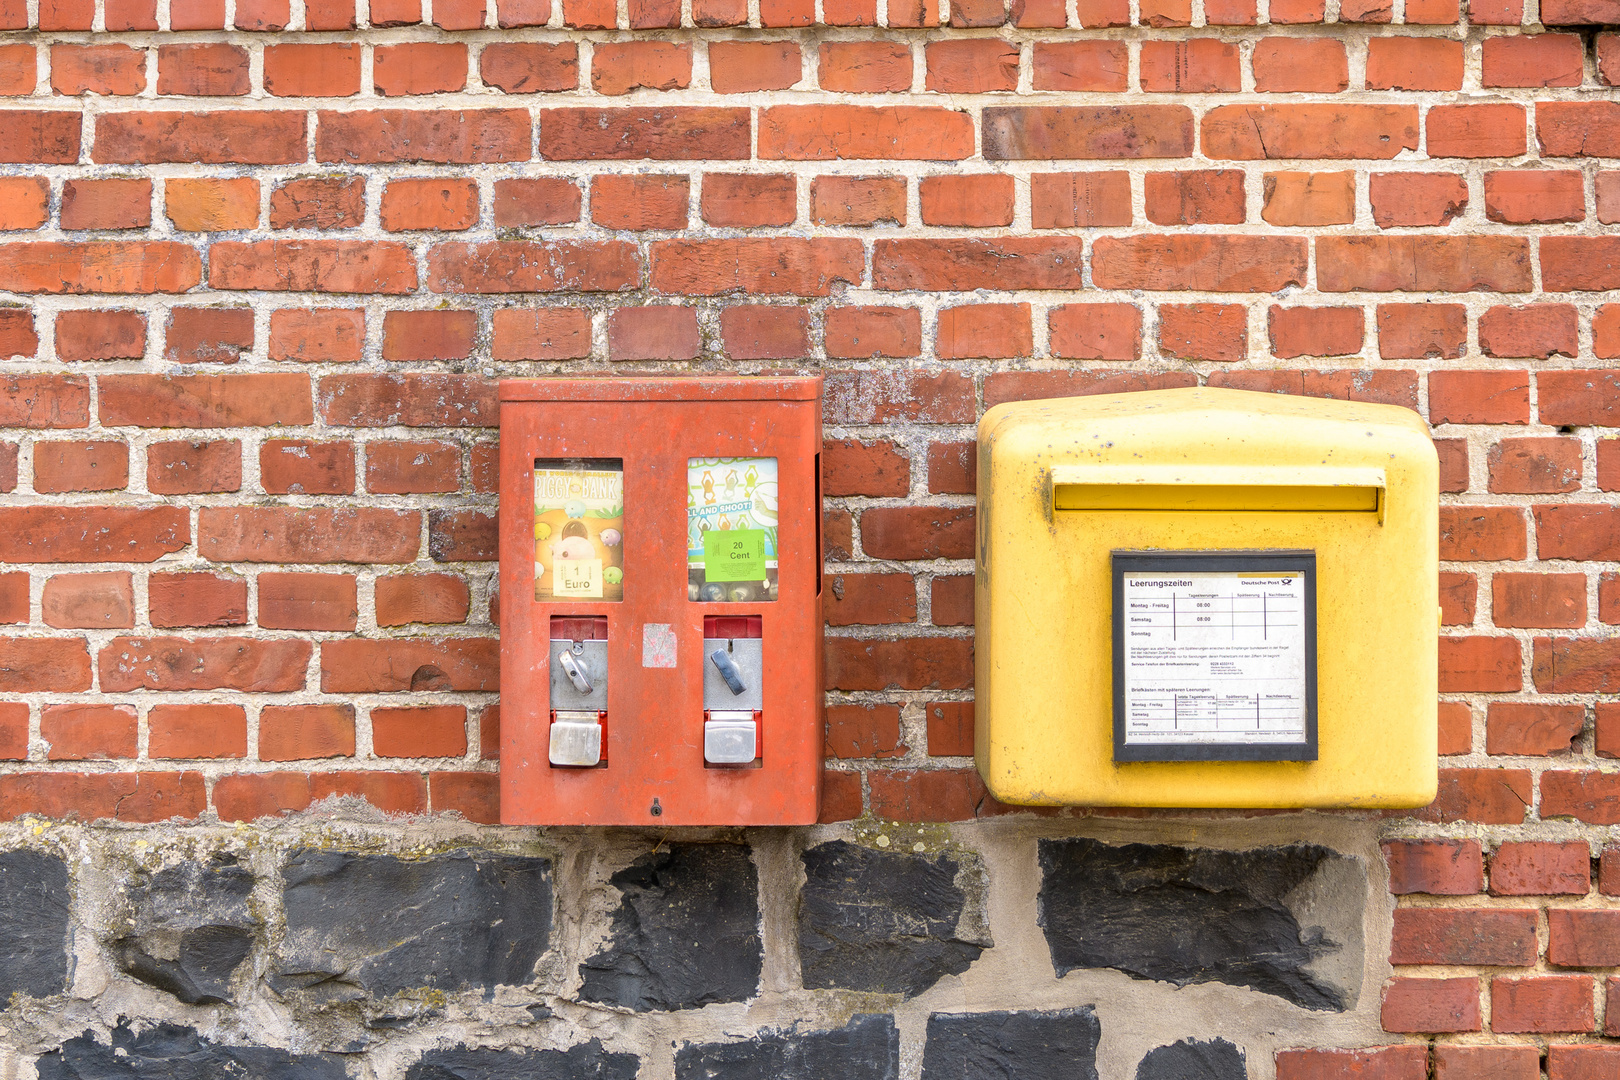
column 258, row 283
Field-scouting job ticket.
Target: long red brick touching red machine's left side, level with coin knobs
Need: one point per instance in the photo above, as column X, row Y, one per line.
column 419, row 665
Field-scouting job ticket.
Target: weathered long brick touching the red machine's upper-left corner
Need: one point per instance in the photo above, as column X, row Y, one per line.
column 414, row 401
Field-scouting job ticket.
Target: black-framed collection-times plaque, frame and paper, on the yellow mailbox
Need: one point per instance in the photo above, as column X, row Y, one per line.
column 1214, row 657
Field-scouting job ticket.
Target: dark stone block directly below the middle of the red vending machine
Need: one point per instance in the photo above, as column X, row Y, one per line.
column 686, row 933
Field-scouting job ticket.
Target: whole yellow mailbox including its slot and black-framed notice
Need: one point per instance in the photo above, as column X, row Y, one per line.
column 1208, row 598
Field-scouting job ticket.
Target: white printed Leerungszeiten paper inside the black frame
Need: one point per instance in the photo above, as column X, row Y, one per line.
column 1214, row 658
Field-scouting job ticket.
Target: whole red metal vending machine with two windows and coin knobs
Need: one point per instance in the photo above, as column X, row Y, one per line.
column 678, row 744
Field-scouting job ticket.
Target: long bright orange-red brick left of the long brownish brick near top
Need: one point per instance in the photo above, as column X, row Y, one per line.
column 817, row 134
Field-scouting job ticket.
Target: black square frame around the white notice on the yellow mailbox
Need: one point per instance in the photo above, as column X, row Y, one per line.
column 1221, row 563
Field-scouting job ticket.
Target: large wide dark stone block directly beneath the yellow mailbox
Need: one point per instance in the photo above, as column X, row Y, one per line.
column 1190, row 916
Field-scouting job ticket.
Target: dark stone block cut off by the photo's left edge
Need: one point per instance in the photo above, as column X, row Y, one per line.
column 35, row 908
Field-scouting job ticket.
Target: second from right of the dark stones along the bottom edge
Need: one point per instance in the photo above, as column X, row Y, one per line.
column 1057, row 1045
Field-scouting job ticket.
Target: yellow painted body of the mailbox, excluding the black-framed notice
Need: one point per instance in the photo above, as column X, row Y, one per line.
column 1064, row 483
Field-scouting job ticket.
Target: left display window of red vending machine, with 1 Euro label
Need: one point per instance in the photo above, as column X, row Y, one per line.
column 579, row 530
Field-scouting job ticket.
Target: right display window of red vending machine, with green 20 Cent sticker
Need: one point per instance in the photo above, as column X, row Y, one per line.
column 731, row 529
